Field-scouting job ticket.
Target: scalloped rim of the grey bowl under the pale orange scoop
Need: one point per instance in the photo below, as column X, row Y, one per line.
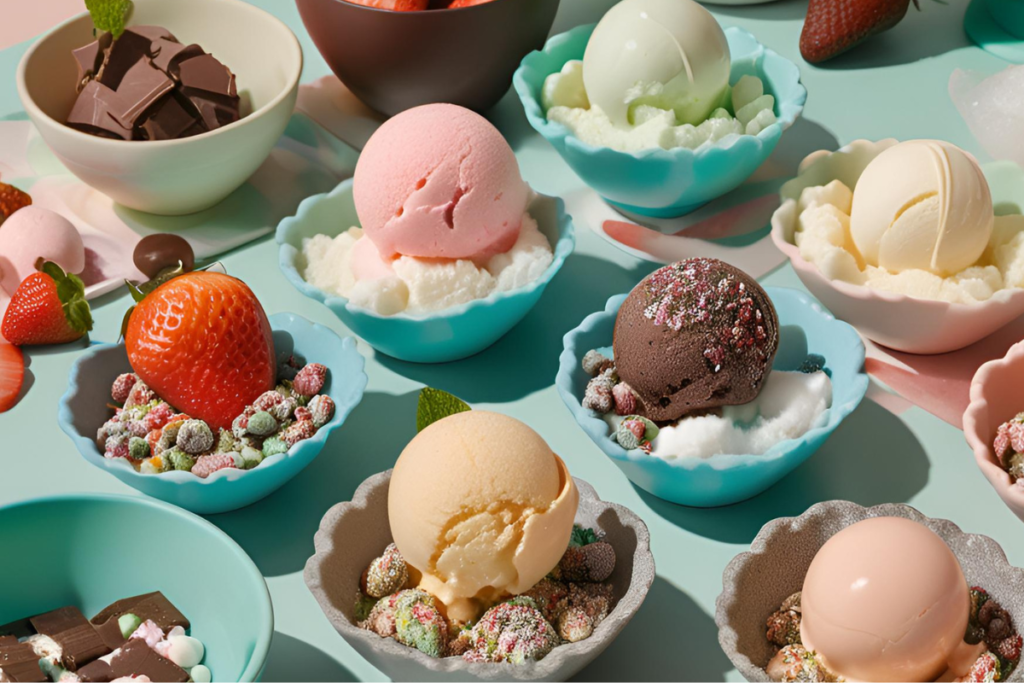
column 641, row 583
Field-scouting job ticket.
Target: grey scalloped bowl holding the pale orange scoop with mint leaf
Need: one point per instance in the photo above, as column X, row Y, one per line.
column 354, row 534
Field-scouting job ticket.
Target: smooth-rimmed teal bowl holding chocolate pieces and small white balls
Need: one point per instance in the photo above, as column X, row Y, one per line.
column 90, row 551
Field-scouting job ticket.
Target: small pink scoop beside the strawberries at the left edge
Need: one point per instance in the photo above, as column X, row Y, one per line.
column 34, row 233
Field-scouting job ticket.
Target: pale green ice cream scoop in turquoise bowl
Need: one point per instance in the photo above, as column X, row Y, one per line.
column 667, row 54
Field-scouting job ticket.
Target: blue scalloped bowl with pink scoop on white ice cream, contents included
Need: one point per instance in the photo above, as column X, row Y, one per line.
column 438, row 234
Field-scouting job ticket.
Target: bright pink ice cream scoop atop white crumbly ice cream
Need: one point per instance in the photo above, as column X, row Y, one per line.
column 440, row 182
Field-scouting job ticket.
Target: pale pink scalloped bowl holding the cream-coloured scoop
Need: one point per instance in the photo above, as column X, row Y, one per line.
column 900, row 322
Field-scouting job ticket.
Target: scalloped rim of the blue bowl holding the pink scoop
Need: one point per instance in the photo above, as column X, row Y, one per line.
column 563, row 247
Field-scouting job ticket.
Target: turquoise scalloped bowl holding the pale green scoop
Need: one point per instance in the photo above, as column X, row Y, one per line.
column 665, row 183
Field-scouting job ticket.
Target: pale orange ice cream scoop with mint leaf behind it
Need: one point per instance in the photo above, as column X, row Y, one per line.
column 482, row 508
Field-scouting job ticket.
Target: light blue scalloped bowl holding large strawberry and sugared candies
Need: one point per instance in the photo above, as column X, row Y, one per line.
column 84, row 409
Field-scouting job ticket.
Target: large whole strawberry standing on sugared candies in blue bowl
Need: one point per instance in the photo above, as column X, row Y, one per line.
column 203, row 344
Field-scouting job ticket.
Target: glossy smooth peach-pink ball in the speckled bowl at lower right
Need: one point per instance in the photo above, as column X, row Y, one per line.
column 885, row 601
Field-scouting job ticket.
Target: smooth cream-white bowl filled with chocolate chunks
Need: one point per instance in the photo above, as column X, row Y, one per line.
column 173, row 178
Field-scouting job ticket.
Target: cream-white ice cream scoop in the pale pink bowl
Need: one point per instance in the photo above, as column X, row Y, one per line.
column 923, row 205
